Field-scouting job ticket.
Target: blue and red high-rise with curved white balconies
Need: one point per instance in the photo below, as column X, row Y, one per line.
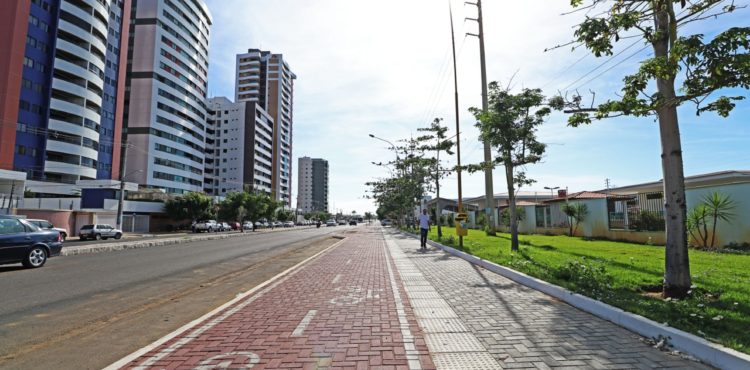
column 62, row 73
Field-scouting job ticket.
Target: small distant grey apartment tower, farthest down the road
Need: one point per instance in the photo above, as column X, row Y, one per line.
column 312, row 185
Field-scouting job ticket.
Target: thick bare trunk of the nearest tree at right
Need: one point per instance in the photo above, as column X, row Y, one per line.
column 677, row 266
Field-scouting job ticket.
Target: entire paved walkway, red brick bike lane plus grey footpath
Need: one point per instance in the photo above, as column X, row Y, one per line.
column 374, row 301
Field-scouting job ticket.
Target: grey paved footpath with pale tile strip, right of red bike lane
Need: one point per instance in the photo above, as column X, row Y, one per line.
column 520, row 327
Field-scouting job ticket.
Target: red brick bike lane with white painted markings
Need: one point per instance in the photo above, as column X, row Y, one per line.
column 346, row 308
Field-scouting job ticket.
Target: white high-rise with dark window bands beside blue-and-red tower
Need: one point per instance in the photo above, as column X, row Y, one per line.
column 166, row 101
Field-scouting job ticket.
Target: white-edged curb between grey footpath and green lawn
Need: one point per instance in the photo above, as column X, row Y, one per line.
column 708, row 352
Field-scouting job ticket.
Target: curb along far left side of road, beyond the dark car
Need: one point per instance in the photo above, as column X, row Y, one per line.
column 98, row 248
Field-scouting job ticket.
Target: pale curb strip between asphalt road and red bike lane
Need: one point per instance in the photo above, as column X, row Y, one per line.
column 259, row 288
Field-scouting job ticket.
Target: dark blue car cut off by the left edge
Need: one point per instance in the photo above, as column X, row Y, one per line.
column 21, row 241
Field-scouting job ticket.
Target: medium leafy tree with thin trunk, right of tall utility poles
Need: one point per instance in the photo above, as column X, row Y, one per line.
column 509, row 126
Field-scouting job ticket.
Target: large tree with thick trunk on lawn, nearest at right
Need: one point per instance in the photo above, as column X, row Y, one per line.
column 702, row 67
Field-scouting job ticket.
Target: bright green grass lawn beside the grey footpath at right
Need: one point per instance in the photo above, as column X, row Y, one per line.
column 629, row 276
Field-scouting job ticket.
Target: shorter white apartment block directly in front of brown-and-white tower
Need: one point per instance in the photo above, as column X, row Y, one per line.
column 239, row 140
